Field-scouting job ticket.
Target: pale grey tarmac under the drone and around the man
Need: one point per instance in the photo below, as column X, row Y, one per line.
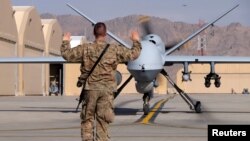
column 52, row 118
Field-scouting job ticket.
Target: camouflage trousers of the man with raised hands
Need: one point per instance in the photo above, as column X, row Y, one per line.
column 97, row 112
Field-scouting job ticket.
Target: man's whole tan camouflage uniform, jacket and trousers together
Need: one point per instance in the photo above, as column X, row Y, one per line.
column 100, row 85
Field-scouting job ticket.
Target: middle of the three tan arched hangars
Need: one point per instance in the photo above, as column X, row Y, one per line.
column 30, row 43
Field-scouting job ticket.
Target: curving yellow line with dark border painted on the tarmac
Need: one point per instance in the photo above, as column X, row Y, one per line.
column 154, row 111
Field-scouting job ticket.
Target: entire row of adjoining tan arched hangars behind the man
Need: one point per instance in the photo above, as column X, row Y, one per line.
column 22, row 34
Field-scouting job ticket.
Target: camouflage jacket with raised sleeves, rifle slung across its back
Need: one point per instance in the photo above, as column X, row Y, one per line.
column 103, row 76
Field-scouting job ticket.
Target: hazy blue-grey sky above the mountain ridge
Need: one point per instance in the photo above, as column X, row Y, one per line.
column 189, row 11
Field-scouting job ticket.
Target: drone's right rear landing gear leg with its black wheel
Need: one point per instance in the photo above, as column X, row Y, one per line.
column 193, row 104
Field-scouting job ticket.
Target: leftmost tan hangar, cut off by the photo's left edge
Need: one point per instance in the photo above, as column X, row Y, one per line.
column 8, row 46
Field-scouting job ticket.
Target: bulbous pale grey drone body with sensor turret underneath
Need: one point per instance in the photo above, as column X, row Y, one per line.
column 149, row 64
